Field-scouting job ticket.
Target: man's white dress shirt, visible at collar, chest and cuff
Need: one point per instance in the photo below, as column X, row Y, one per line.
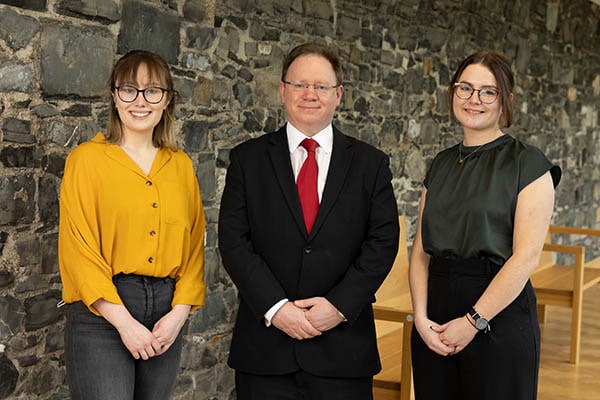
column 297, row 155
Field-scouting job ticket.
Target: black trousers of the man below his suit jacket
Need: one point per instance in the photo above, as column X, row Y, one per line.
column 301, row 385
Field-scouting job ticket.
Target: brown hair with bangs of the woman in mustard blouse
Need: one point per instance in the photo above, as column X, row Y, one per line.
column 125, row 70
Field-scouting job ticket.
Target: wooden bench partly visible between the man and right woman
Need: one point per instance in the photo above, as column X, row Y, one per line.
column 393, row 321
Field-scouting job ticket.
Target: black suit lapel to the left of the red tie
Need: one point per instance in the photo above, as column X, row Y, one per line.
column 280, row 158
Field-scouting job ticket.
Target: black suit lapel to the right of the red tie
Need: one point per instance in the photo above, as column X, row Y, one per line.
column 341, row 158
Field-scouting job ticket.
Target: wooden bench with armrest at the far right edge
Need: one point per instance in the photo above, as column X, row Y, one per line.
column 564, row 285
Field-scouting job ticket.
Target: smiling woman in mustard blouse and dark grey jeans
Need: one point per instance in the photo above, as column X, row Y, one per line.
column 131, row 242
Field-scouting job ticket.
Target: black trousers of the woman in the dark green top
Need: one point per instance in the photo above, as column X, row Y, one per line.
column 497, row 365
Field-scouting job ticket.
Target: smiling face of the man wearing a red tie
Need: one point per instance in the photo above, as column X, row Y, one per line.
column 309, row 111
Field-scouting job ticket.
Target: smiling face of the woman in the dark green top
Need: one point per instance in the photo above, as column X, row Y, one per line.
column 472, row 114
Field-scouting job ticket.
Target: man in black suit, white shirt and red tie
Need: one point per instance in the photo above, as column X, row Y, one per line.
column 305, row 326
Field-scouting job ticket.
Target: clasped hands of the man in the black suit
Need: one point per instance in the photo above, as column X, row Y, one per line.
column 307, row 318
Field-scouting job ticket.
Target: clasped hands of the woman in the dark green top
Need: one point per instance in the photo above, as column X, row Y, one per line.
column 449, row 338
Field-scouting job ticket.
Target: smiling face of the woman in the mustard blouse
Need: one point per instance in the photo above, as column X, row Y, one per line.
column 139, row 116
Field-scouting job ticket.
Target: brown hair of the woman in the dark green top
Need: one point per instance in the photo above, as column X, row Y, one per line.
column 499, row 65
